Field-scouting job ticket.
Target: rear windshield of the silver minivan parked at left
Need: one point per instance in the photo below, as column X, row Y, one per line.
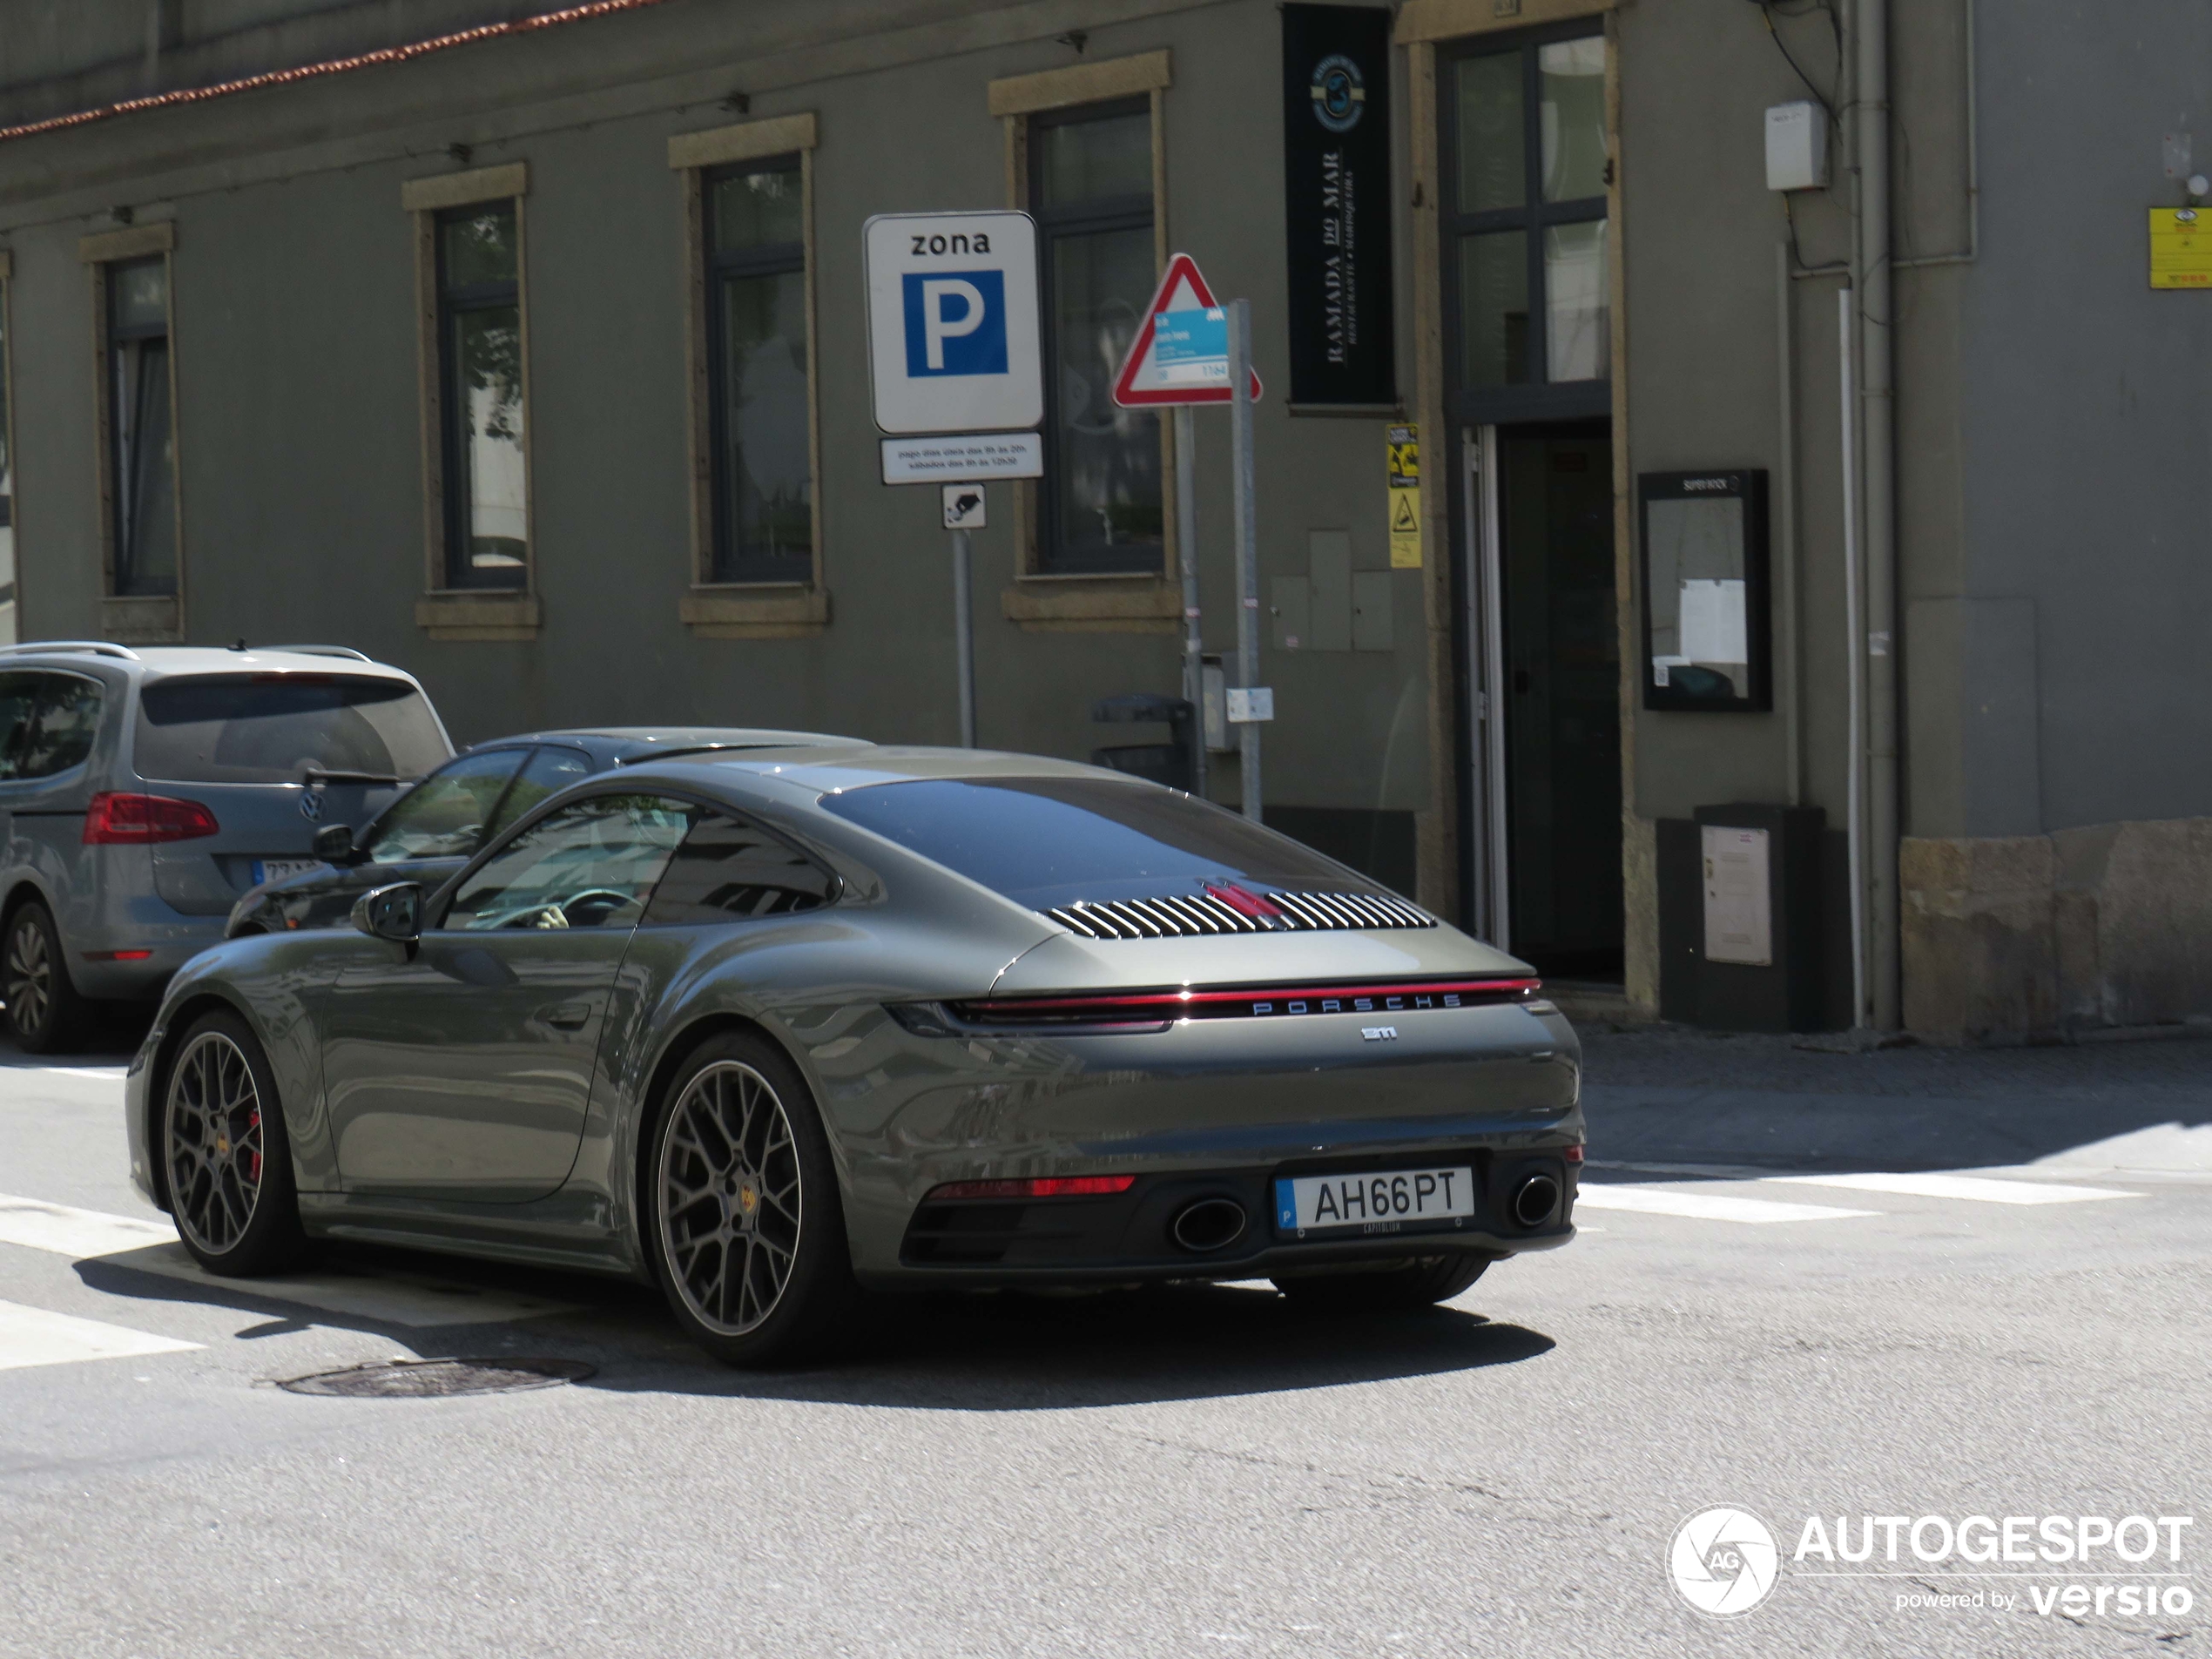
column 273, row 729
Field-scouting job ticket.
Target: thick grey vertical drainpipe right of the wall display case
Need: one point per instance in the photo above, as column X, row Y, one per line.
column 1879, row 503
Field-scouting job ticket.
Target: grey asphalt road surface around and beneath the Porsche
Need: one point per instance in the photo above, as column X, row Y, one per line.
column 1187, row 1472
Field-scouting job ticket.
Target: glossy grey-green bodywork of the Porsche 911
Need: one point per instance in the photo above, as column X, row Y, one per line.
column 492, row 1092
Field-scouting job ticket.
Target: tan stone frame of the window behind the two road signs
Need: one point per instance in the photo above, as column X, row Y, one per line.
column 1092, row 603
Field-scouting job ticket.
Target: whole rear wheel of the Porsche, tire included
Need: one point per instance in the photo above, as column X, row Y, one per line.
column 740, row 1178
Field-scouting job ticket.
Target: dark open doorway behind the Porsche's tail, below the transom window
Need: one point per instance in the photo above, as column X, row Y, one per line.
column 1543, row 674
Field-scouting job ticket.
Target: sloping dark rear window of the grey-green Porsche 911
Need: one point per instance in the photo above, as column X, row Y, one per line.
column 1052, row 842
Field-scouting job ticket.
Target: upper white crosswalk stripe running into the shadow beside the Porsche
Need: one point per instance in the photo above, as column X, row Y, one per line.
column 152, row 1246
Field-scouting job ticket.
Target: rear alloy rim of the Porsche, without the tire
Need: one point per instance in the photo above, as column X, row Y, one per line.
column 731, row 1198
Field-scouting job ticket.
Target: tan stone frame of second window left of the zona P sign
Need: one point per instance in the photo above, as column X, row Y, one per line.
column 468, row 614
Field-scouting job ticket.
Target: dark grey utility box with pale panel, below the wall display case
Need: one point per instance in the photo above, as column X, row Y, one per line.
column 1742, row 919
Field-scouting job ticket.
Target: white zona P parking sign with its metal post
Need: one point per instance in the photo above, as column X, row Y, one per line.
column 957, row 373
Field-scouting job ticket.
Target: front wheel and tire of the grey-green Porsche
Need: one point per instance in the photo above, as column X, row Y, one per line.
column 227, row 1158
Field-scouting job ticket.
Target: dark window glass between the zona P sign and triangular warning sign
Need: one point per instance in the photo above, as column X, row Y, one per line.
column 1092, row 191
